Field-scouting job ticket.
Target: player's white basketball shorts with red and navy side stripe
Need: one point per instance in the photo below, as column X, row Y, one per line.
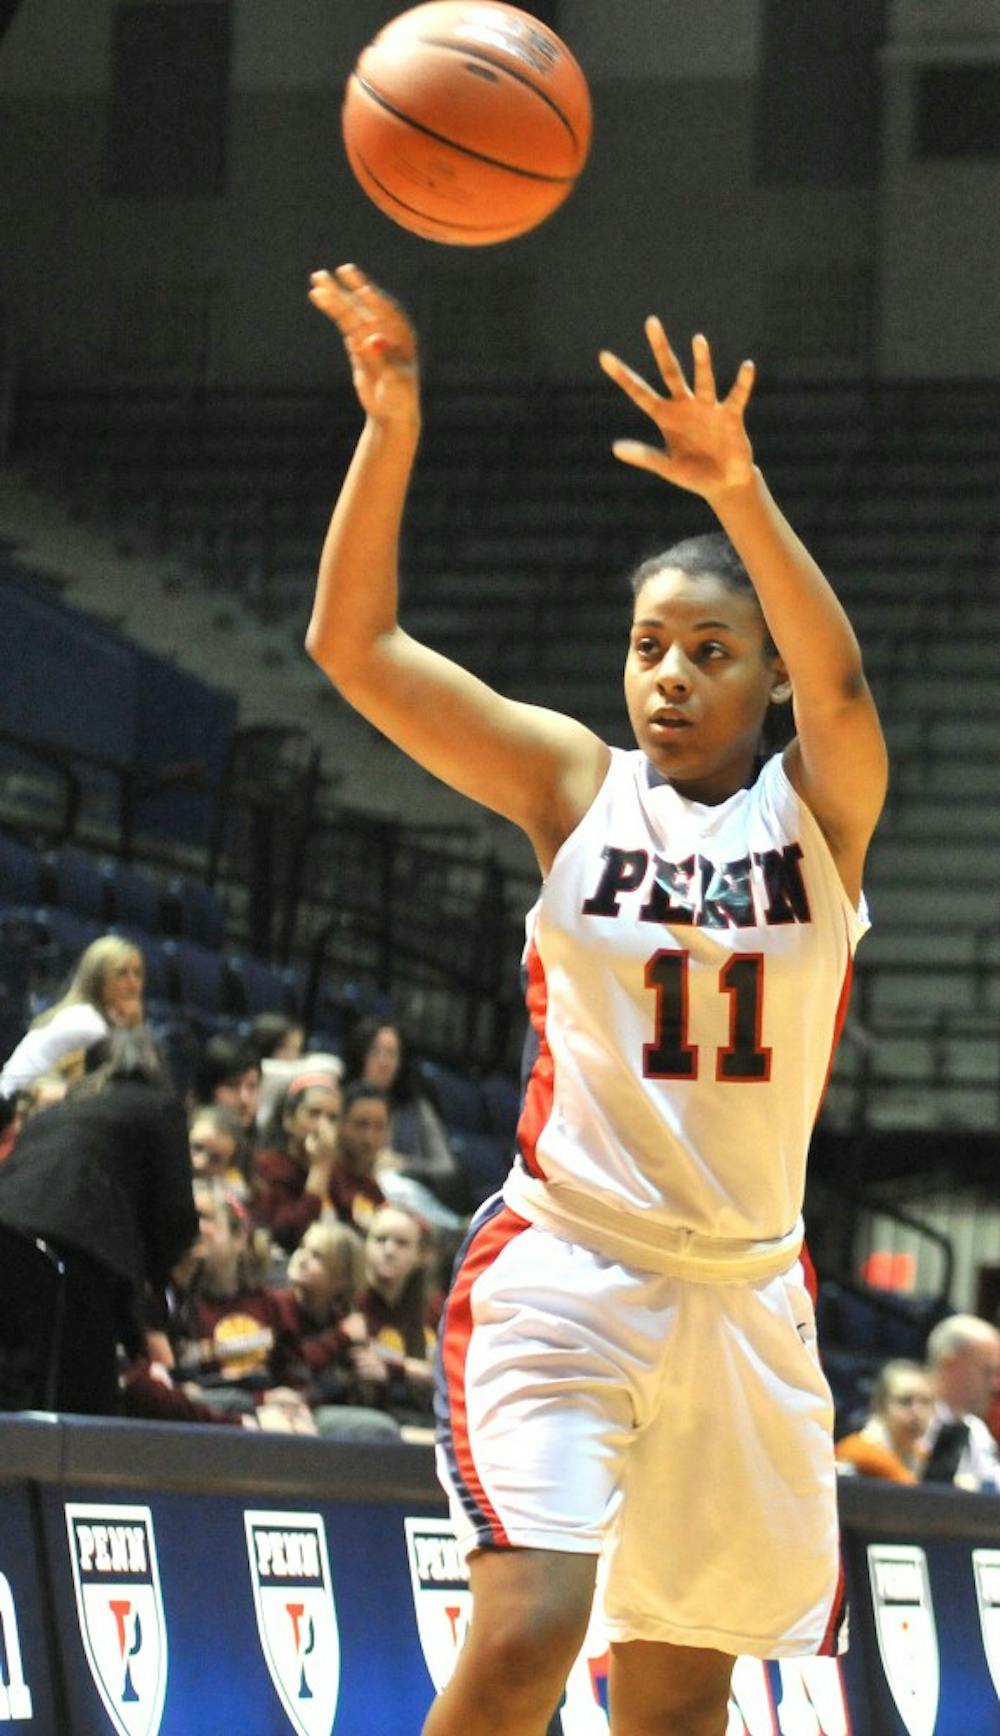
column 681, row 1428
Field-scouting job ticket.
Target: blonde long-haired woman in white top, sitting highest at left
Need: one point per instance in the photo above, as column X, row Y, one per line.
column 105, row 992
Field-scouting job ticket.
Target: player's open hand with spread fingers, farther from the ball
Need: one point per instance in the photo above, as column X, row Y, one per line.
column 706, row 445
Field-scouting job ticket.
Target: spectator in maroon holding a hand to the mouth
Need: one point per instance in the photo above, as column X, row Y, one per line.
column 293, row 1171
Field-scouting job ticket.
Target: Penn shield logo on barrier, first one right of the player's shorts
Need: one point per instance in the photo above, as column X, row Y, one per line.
column 907, row 1633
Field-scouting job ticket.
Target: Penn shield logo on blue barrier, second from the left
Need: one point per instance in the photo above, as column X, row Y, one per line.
column 296, row 1615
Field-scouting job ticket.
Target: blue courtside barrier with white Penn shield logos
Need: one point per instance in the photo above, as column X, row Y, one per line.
column 162, row 1581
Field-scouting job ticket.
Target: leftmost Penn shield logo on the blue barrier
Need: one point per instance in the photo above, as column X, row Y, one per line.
column 121, row 1612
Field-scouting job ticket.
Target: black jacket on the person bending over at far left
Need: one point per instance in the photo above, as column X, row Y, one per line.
column 110, row 1176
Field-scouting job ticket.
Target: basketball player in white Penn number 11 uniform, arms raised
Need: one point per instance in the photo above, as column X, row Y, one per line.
column 628, row 1360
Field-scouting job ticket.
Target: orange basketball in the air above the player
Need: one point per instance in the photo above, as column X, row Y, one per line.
column 468, row 124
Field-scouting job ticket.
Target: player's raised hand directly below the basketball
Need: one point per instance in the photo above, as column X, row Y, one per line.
column 379, row 341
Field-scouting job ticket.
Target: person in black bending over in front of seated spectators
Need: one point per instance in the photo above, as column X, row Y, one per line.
column 105, row 1178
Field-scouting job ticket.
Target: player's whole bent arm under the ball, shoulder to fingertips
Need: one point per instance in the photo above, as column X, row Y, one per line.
column 534, row 766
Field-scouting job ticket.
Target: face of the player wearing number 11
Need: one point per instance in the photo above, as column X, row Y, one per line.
column 699, row 680
